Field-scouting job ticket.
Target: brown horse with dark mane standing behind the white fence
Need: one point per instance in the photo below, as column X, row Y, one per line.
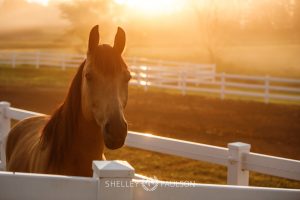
column 90, row 118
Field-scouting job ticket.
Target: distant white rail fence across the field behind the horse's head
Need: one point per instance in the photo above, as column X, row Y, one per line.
column 184, row 77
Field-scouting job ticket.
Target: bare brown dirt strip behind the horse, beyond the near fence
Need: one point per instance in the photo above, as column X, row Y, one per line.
column 270, row 129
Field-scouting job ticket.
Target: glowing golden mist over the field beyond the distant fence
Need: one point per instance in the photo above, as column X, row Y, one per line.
column 239, row 36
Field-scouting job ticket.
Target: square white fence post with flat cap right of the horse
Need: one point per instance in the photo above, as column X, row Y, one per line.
column 236, row 175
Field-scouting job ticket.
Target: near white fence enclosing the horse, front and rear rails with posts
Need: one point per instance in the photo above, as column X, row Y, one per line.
column 237, row 157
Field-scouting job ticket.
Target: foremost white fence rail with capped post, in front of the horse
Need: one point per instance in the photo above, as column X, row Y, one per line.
column 120, row 185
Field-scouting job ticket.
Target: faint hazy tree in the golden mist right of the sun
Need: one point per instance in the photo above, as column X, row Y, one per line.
column 216, row 22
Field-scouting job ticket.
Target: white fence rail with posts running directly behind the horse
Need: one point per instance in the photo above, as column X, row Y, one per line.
column 237, row 157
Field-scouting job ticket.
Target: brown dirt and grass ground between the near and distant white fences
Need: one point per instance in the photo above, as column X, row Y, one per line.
column 270, row 129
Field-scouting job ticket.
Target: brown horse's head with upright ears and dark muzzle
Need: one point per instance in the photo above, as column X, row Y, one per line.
column 104, row 89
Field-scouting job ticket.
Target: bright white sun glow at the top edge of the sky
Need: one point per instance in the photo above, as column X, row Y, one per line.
column 153, row 7
